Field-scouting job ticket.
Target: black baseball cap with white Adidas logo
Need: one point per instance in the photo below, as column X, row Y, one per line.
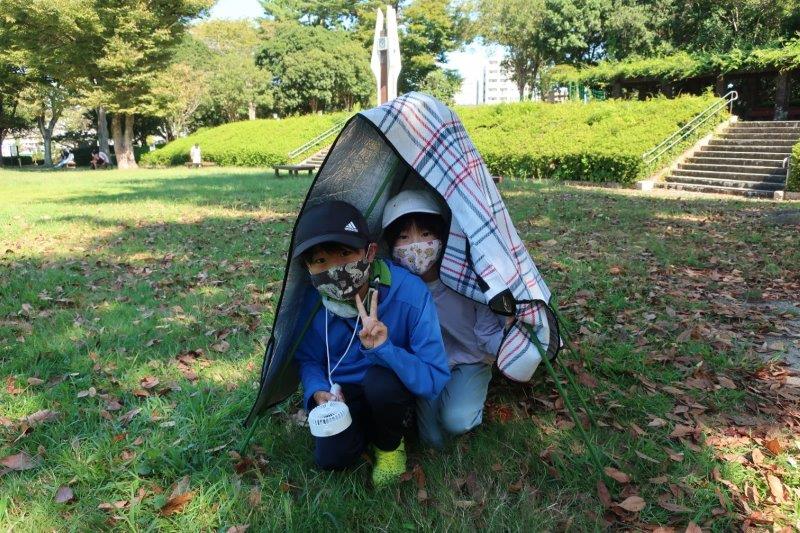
column 333, row 221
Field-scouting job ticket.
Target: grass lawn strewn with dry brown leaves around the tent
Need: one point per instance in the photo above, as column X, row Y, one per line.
column 134, row 308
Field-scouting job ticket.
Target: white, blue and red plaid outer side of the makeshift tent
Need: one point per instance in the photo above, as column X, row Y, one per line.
column 483, row 248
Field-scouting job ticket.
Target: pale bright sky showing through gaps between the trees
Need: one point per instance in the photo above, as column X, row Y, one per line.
column 469, row 62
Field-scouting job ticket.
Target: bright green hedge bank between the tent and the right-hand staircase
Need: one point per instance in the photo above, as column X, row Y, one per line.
column 598, row 141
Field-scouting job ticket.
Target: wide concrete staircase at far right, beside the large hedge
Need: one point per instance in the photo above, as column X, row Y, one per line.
column 746, row 159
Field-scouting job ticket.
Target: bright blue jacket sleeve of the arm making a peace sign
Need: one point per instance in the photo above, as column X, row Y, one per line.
column 424, row 370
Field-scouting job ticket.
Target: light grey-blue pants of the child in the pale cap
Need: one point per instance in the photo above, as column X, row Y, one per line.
column 459, row 407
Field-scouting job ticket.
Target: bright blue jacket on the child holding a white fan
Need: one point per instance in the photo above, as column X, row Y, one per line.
column 414, row 349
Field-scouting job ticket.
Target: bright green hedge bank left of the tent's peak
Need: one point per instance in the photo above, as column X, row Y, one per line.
column 251, row 143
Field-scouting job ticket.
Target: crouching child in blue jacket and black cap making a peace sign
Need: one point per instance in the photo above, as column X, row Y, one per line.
column 399, row 355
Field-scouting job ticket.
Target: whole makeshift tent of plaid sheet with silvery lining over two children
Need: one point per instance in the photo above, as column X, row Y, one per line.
column 415, row 141
